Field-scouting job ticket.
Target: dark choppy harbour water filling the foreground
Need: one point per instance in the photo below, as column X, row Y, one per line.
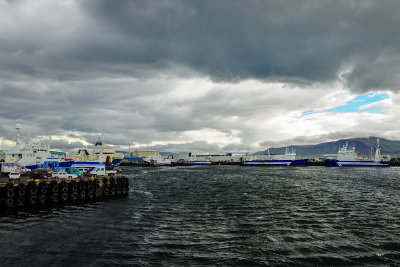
column 220, row 215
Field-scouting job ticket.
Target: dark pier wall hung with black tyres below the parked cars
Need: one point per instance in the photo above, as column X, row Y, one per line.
column 40, row 193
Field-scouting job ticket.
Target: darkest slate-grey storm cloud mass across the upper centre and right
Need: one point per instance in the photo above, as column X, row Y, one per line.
column 309, row 41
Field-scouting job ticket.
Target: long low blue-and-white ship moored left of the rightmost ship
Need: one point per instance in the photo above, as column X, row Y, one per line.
column 287, row 159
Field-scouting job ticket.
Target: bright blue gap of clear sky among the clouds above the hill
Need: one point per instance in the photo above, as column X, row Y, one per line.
column 355, row 105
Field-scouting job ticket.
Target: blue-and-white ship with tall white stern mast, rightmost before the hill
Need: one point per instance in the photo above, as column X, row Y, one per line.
column 347, row 157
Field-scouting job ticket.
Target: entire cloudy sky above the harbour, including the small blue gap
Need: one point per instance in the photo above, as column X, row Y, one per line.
column 201, row 76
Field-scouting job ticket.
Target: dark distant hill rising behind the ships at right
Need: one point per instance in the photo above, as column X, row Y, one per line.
column 361, row 144
